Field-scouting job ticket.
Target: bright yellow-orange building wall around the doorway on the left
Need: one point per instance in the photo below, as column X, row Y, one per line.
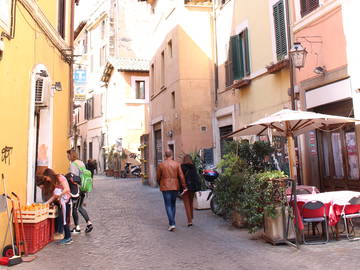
column 29, row 47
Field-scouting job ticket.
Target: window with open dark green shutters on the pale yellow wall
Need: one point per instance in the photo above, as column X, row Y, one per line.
column 238, row 63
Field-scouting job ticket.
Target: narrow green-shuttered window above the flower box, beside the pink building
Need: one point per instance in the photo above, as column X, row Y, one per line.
column 280, row 30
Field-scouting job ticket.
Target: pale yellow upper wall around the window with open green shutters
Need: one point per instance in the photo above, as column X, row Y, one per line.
column 267, row 93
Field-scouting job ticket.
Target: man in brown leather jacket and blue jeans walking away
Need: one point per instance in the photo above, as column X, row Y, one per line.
column 168, row 175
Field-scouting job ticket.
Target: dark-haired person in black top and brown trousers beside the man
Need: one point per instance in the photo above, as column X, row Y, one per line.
column 193, row 184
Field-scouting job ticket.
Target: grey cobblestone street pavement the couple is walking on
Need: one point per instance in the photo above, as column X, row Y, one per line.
column 130, row 232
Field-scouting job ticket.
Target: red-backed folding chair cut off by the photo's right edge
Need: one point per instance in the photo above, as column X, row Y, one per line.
column 350, row 211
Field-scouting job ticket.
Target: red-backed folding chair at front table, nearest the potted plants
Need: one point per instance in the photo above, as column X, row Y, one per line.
column 314, row 212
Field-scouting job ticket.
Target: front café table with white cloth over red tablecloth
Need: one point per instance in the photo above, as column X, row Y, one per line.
column 334, row 202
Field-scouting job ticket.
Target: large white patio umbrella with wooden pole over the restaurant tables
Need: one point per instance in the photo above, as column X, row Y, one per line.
column 290, row 123
